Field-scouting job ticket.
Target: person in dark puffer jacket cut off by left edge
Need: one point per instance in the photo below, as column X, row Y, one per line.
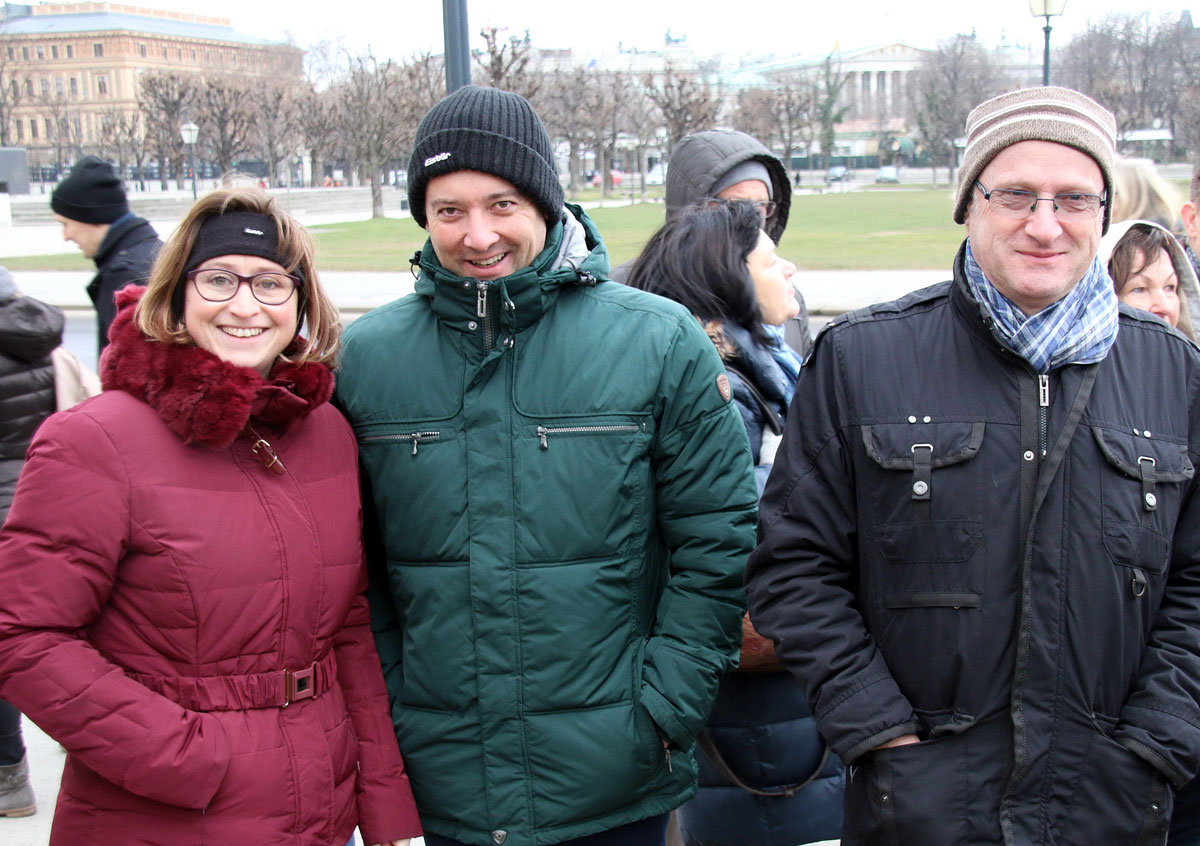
column 29, row 333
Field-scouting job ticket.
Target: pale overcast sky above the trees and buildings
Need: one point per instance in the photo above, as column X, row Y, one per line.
column 401, row 28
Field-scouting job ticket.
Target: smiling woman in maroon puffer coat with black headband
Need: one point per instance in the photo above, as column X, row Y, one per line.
column 185, row 603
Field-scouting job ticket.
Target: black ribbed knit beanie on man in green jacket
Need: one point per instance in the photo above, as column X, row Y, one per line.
column 491, row 131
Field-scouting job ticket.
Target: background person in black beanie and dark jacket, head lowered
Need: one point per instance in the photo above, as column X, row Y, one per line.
column 91, row 205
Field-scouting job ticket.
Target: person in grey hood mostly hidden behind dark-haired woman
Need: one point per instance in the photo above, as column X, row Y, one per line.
column 728, row 165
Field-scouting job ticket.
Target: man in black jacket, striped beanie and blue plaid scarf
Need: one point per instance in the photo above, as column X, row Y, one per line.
column 980, row 548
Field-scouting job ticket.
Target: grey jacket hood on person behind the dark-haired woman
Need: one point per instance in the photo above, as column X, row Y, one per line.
column 701, row 159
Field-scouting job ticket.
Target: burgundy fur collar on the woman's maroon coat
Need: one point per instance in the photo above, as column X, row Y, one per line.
column 201, row 398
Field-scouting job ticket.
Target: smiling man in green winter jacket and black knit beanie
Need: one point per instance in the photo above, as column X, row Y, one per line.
column 560, row 506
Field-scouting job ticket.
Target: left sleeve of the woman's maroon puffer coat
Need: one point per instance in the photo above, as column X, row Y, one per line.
column 62, row 549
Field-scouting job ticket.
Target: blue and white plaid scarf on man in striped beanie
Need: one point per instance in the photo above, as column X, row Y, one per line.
column 1078, row 329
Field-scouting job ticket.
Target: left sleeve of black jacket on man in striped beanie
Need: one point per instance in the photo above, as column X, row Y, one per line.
column 801, row 581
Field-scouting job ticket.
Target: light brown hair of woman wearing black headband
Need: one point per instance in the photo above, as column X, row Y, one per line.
column 160, row 313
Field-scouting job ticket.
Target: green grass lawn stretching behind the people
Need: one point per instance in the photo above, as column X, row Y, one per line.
column 890, row 230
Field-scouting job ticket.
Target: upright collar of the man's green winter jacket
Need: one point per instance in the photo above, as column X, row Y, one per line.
column 574, row 256
